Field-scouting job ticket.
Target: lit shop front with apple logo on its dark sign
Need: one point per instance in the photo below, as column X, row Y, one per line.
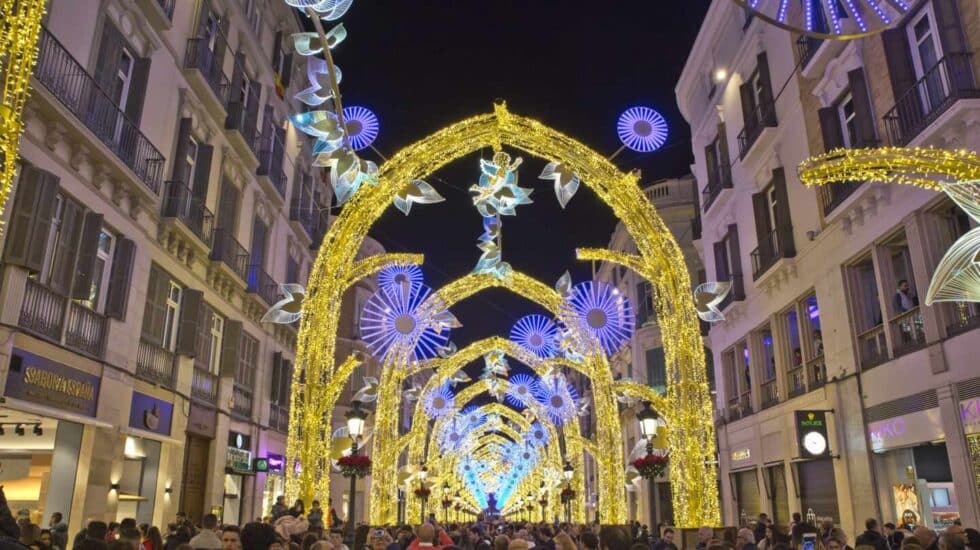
column 150, row 421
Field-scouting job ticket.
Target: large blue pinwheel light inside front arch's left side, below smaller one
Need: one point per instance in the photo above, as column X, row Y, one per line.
column 392, row 321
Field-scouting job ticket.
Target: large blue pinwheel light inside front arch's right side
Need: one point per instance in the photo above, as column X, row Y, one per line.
column 597, row 316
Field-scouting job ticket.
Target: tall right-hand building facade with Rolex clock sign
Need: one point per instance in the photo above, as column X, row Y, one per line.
column 824, row 316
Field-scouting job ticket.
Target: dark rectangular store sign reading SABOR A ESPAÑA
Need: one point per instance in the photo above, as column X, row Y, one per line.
column 43, row 381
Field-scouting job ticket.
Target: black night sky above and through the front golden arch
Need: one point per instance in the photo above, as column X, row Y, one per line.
column 421, row 65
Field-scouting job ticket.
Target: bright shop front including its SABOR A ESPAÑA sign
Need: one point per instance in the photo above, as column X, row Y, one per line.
column 47, row 407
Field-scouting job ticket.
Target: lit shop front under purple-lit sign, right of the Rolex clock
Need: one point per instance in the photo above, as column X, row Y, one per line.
column 915, row 482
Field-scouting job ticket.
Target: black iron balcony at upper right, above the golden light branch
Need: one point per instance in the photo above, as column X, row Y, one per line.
column 950, row 80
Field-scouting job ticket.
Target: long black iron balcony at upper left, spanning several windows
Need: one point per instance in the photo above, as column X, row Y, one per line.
column 66, row 80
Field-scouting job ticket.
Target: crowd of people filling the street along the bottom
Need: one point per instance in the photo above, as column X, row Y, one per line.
column 295, row 528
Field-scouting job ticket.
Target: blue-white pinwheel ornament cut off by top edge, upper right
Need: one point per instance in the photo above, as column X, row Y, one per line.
column 834, row 19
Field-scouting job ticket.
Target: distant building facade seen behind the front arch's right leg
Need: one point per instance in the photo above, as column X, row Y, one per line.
column 643, row 359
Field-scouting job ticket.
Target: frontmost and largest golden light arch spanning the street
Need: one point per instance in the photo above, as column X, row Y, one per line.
column 659, row 260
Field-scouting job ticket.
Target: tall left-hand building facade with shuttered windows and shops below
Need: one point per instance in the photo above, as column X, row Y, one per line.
column 163, row 197
